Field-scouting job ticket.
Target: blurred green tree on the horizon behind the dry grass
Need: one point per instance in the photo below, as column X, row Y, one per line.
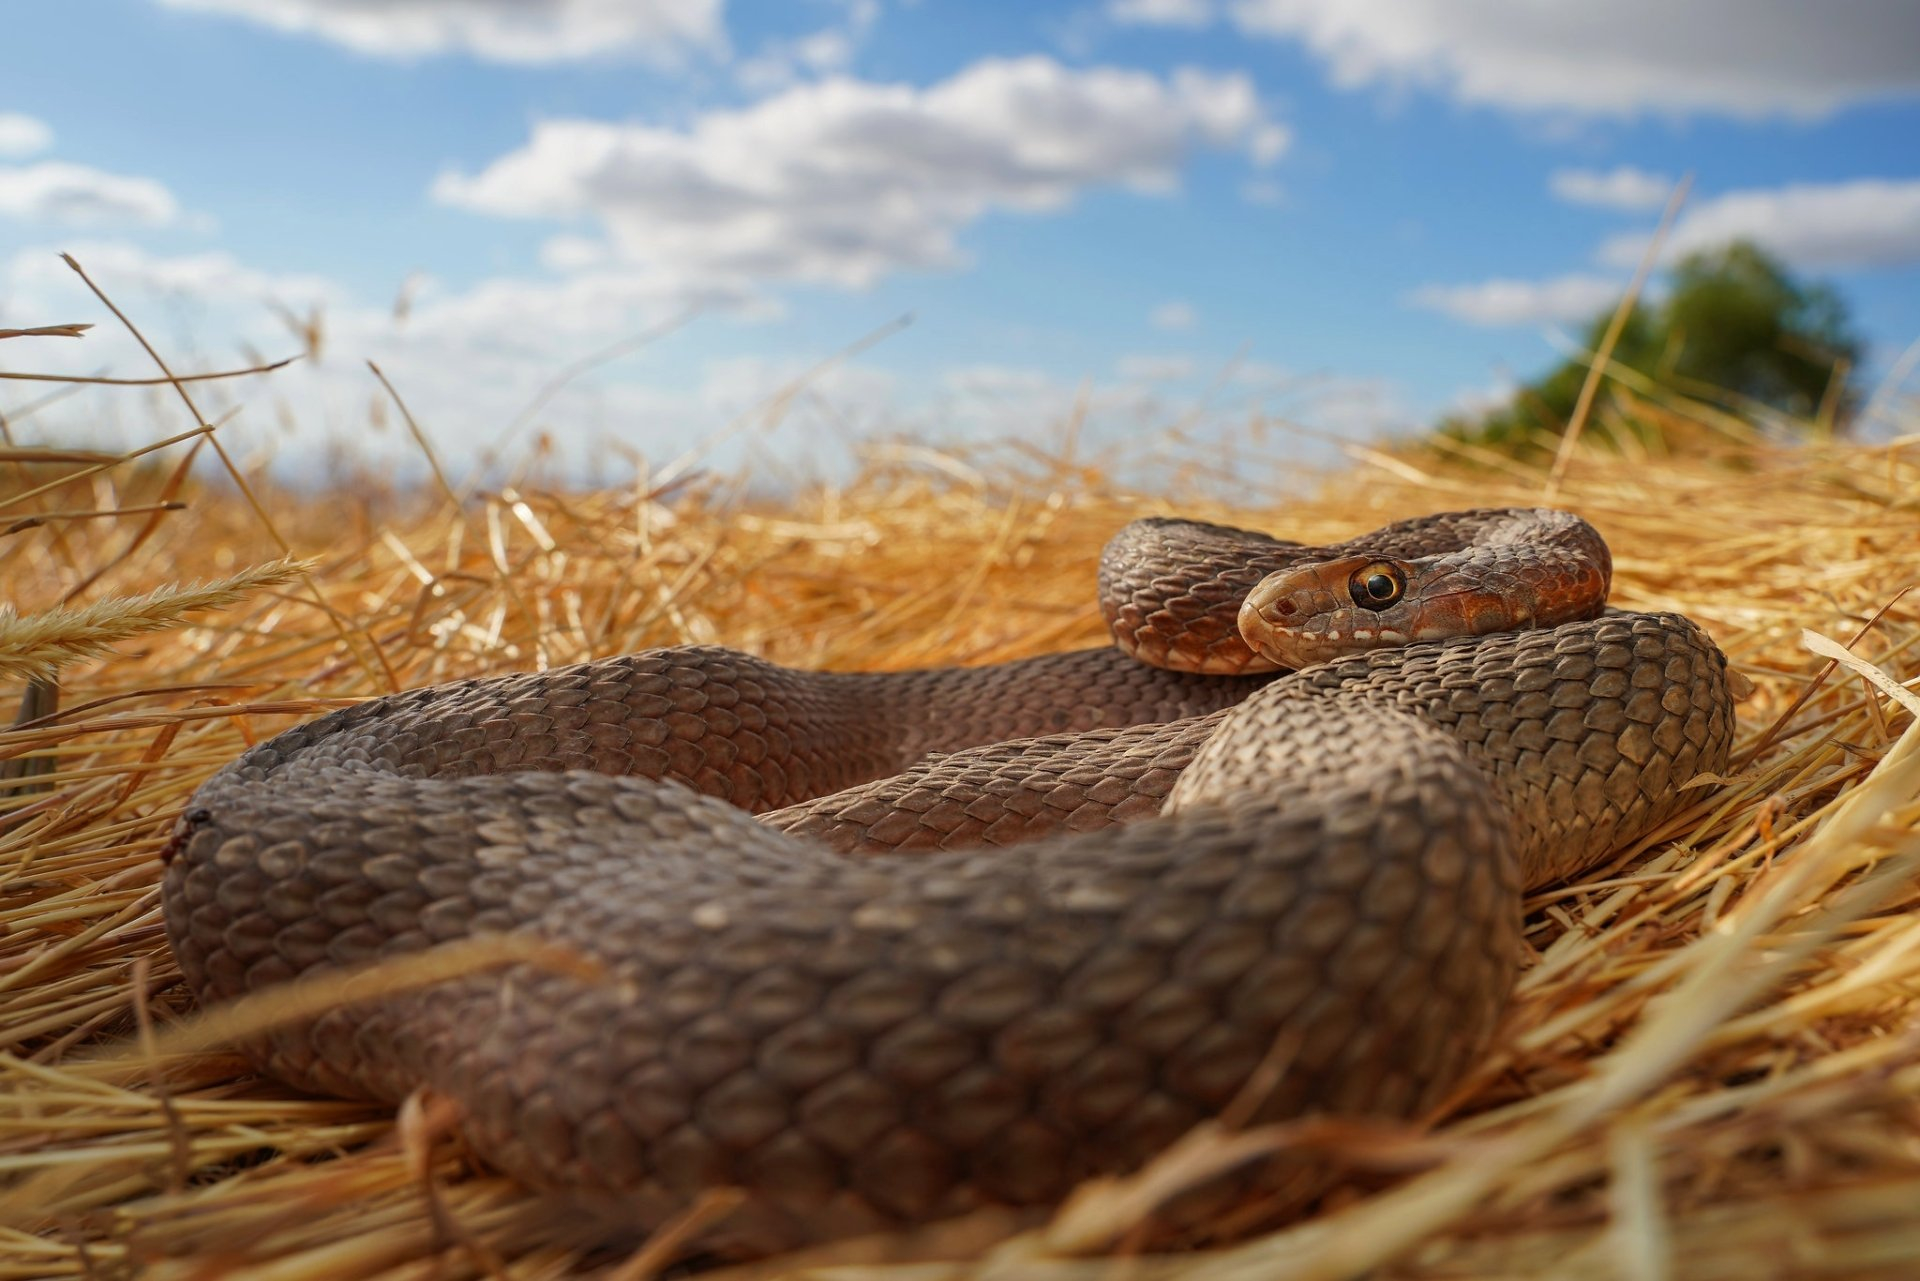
column 1733, row 322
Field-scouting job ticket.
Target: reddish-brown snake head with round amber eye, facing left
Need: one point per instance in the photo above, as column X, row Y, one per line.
column 1347, row 606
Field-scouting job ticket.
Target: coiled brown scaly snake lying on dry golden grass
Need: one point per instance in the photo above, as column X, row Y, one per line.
column 880, row 950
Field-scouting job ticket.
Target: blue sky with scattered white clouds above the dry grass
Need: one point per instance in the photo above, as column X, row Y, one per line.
column 1353, row 214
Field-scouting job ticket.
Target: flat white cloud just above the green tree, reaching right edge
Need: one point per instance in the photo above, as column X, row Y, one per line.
column 1863, row 224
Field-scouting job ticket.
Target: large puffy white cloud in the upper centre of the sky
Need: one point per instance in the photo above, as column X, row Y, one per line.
column 846, row 181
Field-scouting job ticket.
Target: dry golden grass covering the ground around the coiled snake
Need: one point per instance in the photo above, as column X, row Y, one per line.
column 1712, row 1069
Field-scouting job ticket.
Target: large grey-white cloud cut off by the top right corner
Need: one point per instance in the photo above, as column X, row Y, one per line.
column 1744, row 59
